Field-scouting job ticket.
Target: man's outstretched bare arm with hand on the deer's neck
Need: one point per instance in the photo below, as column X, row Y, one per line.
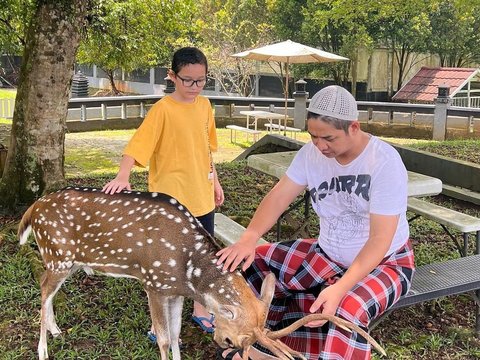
column 269, row 210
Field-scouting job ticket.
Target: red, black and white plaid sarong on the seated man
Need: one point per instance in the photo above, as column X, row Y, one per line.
column 302, row 269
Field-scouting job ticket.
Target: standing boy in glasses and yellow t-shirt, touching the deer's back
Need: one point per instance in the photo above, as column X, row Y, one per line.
column 176, row 140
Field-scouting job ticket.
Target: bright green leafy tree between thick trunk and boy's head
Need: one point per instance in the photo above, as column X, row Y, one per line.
column 133, row 34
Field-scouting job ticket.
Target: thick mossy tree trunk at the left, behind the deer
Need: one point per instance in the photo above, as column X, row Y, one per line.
column 36, row 153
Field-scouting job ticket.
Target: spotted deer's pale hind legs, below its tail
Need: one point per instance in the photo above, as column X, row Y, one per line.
column 49, row 285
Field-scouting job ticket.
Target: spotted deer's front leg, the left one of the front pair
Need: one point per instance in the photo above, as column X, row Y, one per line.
column 159, row 312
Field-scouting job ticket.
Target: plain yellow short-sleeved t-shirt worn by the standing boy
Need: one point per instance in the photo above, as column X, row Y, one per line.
column 175, row 139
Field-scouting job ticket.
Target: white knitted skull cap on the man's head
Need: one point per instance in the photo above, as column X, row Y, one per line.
column 334, row 101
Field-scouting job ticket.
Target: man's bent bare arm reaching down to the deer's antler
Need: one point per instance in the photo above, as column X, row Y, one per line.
column 382, row 231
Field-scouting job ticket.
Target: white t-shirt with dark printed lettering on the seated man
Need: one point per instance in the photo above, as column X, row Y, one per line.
column 343, row 196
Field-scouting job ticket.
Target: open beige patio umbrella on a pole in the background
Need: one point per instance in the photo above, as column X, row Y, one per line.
column 289, row 52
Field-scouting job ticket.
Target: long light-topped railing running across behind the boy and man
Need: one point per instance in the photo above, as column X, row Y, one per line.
column 127, row 107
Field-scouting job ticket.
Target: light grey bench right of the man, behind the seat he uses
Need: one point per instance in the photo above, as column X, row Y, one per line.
column 447, row 218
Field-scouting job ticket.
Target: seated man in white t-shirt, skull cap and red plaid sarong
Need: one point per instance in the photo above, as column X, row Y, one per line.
column 362, row 261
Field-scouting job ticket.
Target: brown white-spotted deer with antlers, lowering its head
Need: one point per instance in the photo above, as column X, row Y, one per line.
column 153, row 238
